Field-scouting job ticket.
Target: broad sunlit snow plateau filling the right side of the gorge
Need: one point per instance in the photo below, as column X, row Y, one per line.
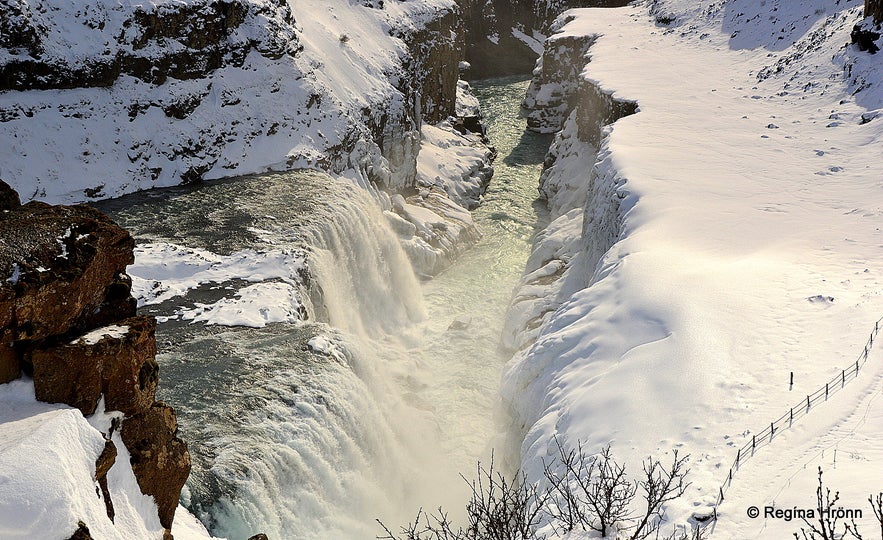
column 744, row 202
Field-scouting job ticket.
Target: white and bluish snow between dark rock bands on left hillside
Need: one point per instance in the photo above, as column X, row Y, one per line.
column 65, row 146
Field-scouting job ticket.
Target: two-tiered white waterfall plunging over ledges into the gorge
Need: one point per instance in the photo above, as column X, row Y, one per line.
column 302, row 429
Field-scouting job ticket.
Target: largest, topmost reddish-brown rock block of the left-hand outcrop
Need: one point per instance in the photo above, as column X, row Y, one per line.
column 61, row 268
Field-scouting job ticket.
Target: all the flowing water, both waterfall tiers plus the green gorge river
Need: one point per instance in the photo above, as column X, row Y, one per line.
column 311, row 430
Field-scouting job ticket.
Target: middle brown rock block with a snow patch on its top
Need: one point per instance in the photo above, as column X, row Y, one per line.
column 123, row 368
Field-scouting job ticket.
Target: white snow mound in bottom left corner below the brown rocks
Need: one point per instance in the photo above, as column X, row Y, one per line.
column 47, row 467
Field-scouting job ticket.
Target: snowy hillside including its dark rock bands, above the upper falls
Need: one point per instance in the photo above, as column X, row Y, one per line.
column 102, row 98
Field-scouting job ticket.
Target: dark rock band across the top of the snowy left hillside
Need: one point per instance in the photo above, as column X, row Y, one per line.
column 204, row 35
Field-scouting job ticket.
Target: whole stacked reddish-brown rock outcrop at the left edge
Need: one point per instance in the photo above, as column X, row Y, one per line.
column 68, row 321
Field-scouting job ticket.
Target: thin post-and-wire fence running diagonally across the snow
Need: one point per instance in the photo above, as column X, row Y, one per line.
column 796, row 412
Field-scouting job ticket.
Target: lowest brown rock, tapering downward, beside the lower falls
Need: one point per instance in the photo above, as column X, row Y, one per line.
column 160, row 459
